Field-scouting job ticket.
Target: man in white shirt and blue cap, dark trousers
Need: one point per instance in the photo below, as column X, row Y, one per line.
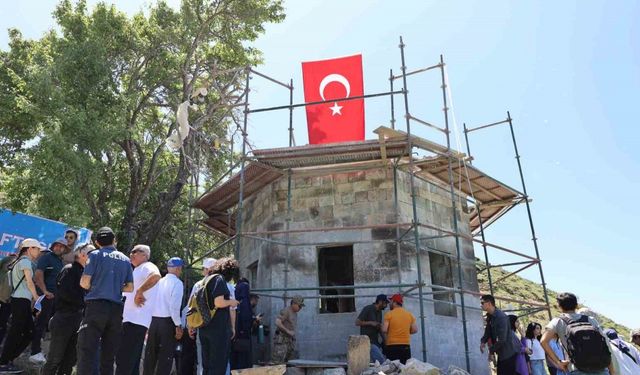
column 166, row 328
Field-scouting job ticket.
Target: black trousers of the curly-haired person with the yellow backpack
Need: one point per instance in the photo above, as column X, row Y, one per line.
column 216, row 345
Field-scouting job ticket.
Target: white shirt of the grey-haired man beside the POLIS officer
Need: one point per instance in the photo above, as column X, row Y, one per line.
column 140, row 315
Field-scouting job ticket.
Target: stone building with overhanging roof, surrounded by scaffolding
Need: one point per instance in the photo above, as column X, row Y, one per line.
column 351, row 224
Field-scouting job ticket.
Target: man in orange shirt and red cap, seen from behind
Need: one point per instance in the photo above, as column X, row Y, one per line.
column 399, row 325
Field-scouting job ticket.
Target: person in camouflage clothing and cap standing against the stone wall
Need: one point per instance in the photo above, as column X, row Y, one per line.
column 285, row 340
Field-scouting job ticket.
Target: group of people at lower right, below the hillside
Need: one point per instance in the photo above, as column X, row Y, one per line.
column 572, row 343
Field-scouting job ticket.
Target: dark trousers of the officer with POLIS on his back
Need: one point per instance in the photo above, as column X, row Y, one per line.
column 100, row 329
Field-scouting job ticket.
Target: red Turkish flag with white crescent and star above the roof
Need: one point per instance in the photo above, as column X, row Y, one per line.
column 340, row 121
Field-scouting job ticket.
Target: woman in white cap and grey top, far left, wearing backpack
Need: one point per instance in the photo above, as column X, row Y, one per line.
column 23, row 296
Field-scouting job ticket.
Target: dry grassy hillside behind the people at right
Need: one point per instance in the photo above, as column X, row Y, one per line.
column 518, row 288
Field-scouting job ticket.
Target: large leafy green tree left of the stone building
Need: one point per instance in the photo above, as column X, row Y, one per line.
column 88, row 110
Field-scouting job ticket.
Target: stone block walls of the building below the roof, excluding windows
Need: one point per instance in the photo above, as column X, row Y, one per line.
column 358, row 199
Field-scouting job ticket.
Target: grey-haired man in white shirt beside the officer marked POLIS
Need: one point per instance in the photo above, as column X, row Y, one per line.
column 138, row 308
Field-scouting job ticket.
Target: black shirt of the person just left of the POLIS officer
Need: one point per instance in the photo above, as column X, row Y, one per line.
column 70, row 295
